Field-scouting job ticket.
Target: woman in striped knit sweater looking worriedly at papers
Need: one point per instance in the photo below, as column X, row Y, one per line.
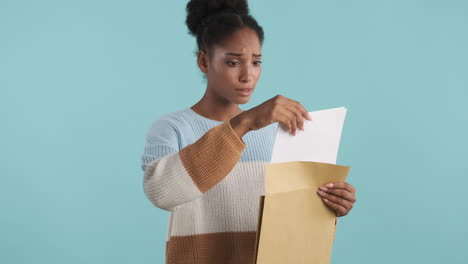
column 205, row 164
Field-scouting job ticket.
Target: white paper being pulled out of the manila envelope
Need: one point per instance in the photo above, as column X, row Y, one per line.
column 318, row 142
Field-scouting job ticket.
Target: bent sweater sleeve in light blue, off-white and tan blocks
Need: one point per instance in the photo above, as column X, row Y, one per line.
column 173, row 177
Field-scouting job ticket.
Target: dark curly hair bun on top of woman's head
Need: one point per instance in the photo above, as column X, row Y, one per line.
column 197, row 10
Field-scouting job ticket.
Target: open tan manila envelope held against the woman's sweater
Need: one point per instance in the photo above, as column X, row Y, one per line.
column 294, row 225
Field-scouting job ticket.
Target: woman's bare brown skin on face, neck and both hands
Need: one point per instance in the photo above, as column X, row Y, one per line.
column 226, row 73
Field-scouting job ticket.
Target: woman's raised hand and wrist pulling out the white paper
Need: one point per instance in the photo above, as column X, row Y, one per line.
column 289, row 113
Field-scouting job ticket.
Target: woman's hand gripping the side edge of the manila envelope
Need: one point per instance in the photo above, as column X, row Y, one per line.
column 339, row 196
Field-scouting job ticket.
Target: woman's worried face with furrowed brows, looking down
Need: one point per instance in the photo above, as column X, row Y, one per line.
column 234, row 67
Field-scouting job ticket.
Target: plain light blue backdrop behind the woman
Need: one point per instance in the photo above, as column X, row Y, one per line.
column 81, row 82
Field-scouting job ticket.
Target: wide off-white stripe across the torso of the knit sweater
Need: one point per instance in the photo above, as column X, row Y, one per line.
column 231, row 205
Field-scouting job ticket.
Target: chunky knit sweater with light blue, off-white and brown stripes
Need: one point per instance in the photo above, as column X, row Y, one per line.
column 210, row 180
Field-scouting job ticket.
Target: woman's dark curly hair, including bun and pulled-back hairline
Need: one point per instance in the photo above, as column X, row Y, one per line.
column 211, row 21
